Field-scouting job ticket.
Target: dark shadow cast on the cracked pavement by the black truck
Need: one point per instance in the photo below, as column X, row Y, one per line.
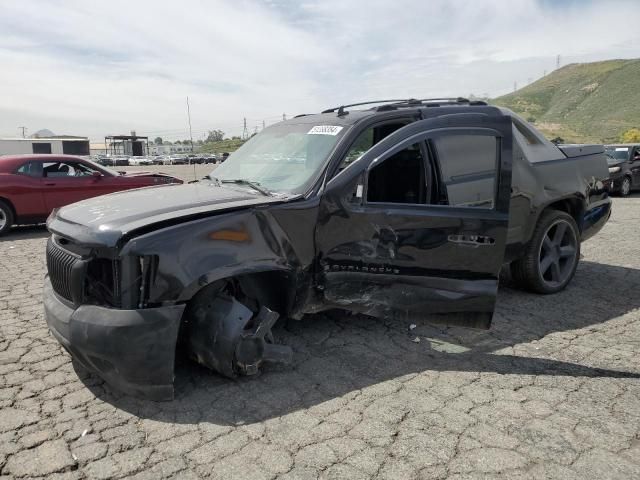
column 337, row 354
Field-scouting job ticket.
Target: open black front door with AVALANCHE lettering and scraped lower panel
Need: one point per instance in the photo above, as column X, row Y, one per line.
column 417, row 226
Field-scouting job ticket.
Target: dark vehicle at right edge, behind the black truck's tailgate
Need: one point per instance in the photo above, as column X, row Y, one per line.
column 624, row 168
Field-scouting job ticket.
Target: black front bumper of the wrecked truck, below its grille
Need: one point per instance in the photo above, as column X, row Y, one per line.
column 132, row 350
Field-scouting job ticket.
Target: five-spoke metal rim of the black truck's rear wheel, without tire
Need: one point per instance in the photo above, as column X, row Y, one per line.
column 558, row 253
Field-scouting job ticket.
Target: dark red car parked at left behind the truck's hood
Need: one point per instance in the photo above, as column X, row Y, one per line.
column 33, row 185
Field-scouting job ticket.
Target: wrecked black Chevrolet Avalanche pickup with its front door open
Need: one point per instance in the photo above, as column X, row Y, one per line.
column 405, row 208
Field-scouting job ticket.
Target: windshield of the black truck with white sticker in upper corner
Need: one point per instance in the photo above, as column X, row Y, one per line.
column 282, row 158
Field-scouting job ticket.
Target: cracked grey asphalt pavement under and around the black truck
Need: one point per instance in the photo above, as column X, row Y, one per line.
column 551, row 391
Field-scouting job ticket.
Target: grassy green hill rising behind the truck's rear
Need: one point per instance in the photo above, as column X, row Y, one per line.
column 582, row 102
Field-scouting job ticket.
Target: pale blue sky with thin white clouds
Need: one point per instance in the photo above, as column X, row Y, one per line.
column 96, row 68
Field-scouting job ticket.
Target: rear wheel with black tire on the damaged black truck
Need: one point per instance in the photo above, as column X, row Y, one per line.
column 551, row 257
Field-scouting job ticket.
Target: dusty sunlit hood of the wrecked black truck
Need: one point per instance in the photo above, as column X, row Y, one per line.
column 104, row 220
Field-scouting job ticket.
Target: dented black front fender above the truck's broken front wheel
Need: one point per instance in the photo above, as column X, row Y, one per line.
column 193, row 254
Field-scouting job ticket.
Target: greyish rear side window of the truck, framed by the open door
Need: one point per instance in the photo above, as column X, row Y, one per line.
column 468, row 167
